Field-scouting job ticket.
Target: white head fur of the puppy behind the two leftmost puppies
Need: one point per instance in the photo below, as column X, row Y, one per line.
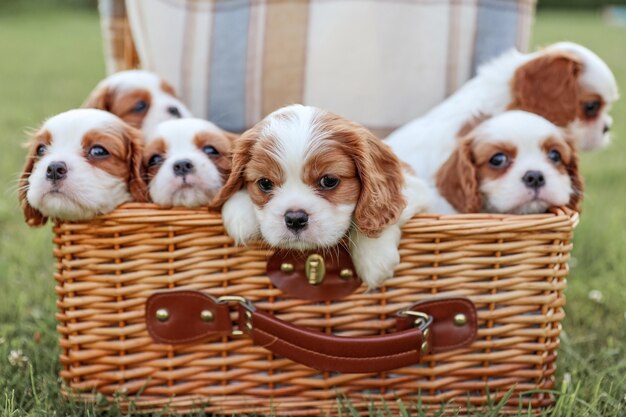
column 125, row 81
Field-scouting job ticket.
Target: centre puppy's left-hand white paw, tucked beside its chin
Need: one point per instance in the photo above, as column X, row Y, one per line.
column 240, row 218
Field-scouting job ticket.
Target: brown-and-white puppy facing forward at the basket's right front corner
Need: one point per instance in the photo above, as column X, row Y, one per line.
column 516, row 162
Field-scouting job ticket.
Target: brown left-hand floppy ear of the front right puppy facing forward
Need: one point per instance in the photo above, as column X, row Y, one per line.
column 457, row 179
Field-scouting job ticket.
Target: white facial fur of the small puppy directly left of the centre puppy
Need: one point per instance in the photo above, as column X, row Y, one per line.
column 197, row 188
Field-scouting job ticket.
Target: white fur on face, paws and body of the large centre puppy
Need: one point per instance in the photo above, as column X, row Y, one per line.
column 298, row 133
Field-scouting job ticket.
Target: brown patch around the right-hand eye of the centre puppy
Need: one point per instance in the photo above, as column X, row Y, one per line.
column 331, row 160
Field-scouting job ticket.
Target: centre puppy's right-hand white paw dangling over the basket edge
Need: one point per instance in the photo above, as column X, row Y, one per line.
column 375, row 259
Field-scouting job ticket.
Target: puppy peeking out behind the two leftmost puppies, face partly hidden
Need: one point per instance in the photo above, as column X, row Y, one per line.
column 140, row 98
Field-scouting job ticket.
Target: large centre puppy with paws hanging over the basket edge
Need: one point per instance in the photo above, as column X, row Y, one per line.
column 304, row 178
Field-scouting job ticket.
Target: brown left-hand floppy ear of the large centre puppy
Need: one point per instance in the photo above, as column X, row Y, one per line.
column 242, row 146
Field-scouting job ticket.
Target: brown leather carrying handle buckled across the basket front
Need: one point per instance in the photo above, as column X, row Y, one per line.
column 193, row 316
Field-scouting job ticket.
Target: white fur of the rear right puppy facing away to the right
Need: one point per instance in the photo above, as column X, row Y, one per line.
column 428, row 141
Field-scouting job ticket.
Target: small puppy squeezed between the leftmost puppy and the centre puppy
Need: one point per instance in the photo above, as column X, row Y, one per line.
column 186, row 162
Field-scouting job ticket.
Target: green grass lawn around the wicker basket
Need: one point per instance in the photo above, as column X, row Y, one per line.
column 48, row 63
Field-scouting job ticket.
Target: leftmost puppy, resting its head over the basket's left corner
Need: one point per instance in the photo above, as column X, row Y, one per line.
column 82, row 163
